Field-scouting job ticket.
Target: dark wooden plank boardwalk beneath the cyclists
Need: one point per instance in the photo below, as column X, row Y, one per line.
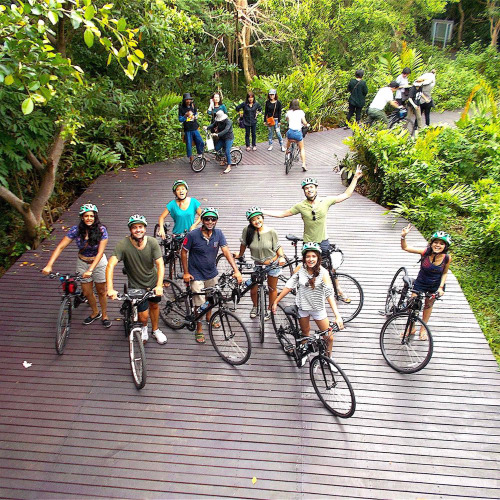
column 74, row 425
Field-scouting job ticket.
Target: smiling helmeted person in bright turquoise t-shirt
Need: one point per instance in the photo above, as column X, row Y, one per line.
column 182, row 209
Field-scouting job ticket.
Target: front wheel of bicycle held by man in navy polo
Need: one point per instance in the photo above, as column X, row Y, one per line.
column 231, row 340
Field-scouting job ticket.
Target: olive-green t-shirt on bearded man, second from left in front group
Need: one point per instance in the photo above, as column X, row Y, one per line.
column 140, row 264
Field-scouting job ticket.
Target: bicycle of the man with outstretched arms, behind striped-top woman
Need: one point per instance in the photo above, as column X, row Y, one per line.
column 348, row 292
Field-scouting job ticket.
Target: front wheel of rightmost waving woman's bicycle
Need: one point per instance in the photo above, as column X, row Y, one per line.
column 404, row 351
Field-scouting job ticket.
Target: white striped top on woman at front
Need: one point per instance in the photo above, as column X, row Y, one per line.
column 309, row 298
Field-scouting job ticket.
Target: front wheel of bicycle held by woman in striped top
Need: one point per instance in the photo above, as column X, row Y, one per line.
column 332, row 386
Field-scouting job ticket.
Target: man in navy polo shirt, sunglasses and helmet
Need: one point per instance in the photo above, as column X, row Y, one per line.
column 203, row 245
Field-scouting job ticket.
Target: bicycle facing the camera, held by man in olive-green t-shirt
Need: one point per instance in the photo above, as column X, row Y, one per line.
column 133, row 330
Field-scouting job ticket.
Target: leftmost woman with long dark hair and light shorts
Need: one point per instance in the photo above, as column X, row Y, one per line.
column 91, row 238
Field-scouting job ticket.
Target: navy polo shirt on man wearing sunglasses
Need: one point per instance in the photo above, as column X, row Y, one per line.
column 203, row 252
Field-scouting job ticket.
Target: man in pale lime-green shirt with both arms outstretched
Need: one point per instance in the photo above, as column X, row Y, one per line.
column 314, row 210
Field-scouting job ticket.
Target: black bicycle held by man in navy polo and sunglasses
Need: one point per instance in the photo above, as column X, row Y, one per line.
column 228, row 334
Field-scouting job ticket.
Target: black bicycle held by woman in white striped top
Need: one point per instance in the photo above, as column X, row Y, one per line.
column 329, row 381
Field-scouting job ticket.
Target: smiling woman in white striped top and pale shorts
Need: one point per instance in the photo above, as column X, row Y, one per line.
column 313, row 286
